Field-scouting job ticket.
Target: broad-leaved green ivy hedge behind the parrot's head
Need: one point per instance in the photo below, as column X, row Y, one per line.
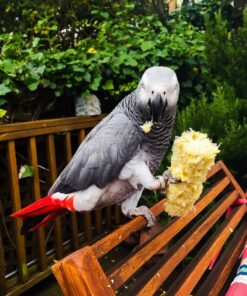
column 37, row 69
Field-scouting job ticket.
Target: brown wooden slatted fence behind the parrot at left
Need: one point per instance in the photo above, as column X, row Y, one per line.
column 48, row 146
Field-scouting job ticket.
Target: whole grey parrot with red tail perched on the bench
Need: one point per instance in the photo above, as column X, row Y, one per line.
column 118, row 158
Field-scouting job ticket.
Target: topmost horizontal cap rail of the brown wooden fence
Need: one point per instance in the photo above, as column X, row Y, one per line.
column 32, row 125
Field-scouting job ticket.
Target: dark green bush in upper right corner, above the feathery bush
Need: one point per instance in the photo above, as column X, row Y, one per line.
column 226, row 54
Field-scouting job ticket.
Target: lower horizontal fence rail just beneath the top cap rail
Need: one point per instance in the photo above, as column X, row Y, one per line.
column 46, row 131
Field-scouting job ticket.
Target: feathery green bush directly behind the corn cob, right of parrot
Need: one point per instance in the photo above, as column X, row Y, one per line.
column 221, row 118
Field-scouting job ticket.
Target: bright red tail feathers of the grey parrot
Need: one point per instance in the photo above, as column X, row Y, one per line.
column 43, row 211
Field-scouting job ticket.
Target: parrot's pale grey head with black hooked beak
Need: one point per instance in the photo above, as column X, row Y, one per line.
column 158, row 91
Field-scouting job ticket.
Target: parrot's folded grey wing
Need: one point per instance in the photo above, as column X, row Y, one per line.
column 102, row 155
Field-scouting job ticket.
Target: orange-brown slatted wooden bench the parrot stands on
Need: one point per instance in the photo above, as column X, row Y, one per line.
column 196, row 235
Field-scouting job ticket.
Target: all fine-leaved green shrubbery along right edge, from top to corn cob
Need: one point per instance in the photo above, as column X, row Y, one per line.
column 222, row 111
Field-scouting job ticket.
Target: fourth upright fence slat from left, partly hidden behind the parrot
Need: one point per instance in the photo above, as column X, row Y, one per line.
column 73, row 216
